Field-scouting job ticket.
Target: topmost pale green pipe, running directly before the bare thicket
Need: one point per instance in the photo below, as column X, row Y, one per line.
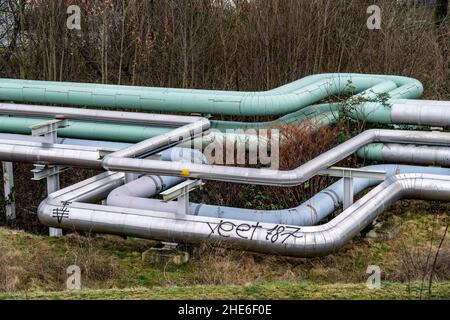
column 280, row 101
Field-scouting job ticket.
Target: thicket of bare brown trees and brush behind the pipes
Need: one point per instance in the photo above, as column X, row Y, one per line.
column 251, row 45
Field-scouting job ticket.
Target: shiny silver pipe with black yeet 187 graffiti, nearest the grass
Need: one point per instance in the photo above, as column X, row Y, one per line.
column 261, row 237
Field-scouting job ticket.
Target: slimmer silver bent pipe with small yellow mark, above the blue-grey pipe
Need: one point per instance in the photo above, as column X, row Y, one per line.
column 265, row 176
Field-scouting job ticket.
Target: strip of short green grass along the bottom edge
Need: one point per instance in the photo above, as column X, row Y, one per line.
column 271, row 291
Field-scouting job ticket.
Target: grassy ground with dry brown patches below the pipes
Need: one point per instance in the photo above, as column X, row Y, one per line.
column 34, row 266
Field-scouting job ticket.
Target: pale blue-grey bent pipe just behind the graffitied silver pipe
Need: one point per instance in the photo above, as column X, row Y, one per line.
column 137, row 193
